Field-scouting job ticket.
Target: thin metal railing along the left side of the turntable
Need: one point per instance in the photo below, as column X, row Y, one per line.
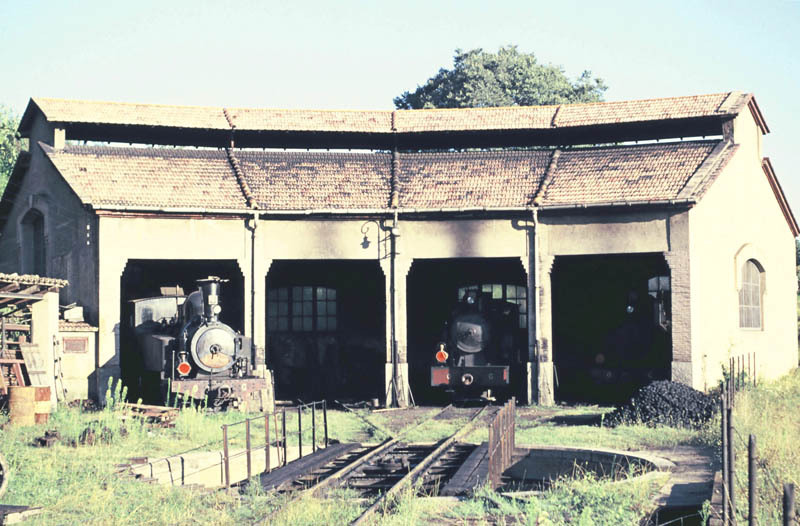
column 319, row 438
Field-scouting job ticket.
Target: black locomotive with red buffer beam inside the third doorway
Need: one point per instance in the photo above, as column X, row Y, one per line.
column 478, row 346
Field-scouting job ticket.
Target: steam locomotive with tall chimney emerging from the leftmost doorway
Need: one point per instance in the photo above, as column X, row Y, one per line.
column 182, row 349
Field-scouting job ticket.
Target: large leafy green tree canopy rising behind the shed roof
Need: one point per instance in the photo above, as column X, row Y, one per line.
column 506, row 78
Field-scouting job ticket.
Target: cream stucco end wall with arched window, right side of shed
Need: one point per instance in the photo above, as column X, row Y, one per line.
column 739, row 218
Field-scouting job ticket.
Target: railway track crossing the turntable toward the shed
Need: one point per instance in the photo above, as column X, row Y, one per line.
column 378, row 472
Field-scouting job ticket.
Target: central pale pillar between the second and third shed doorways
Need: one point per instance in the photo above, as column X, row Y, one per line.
column 402, row 266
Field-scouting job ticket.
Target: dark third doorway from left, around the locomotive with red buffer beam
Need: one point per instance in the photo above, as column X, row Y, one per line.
column 434, row 288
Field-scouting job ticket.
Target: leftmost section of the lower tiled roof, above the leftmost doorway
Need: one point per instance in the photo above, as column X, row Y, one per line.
column 151, row 177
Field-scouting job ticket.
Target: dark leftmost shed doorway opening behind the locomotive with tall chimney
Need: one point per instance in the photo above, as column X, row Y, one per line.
column 143, row 278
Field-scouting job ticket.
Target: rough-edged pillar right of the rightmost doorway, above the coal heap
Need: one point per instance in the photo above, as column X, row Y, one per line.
column 678, row 262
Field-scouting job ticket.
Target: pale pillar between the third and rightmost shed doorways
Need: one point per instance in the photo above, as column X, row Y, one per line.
column 545, row 390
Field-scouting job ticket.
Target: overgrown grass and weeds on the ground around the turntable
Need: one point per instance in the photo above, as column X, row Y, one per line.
column 77, row 485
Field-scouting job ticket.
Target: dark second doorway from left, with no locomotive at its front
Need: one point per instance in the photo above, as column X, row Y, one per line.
column 326, row 326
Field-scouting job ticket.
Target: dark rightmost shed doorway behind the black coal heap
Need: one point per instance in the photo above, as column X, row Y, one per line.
column 611, row 325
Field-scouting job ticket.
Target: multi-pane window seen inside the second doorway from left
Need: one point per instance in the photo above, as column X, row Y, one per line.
column 301, row 309
